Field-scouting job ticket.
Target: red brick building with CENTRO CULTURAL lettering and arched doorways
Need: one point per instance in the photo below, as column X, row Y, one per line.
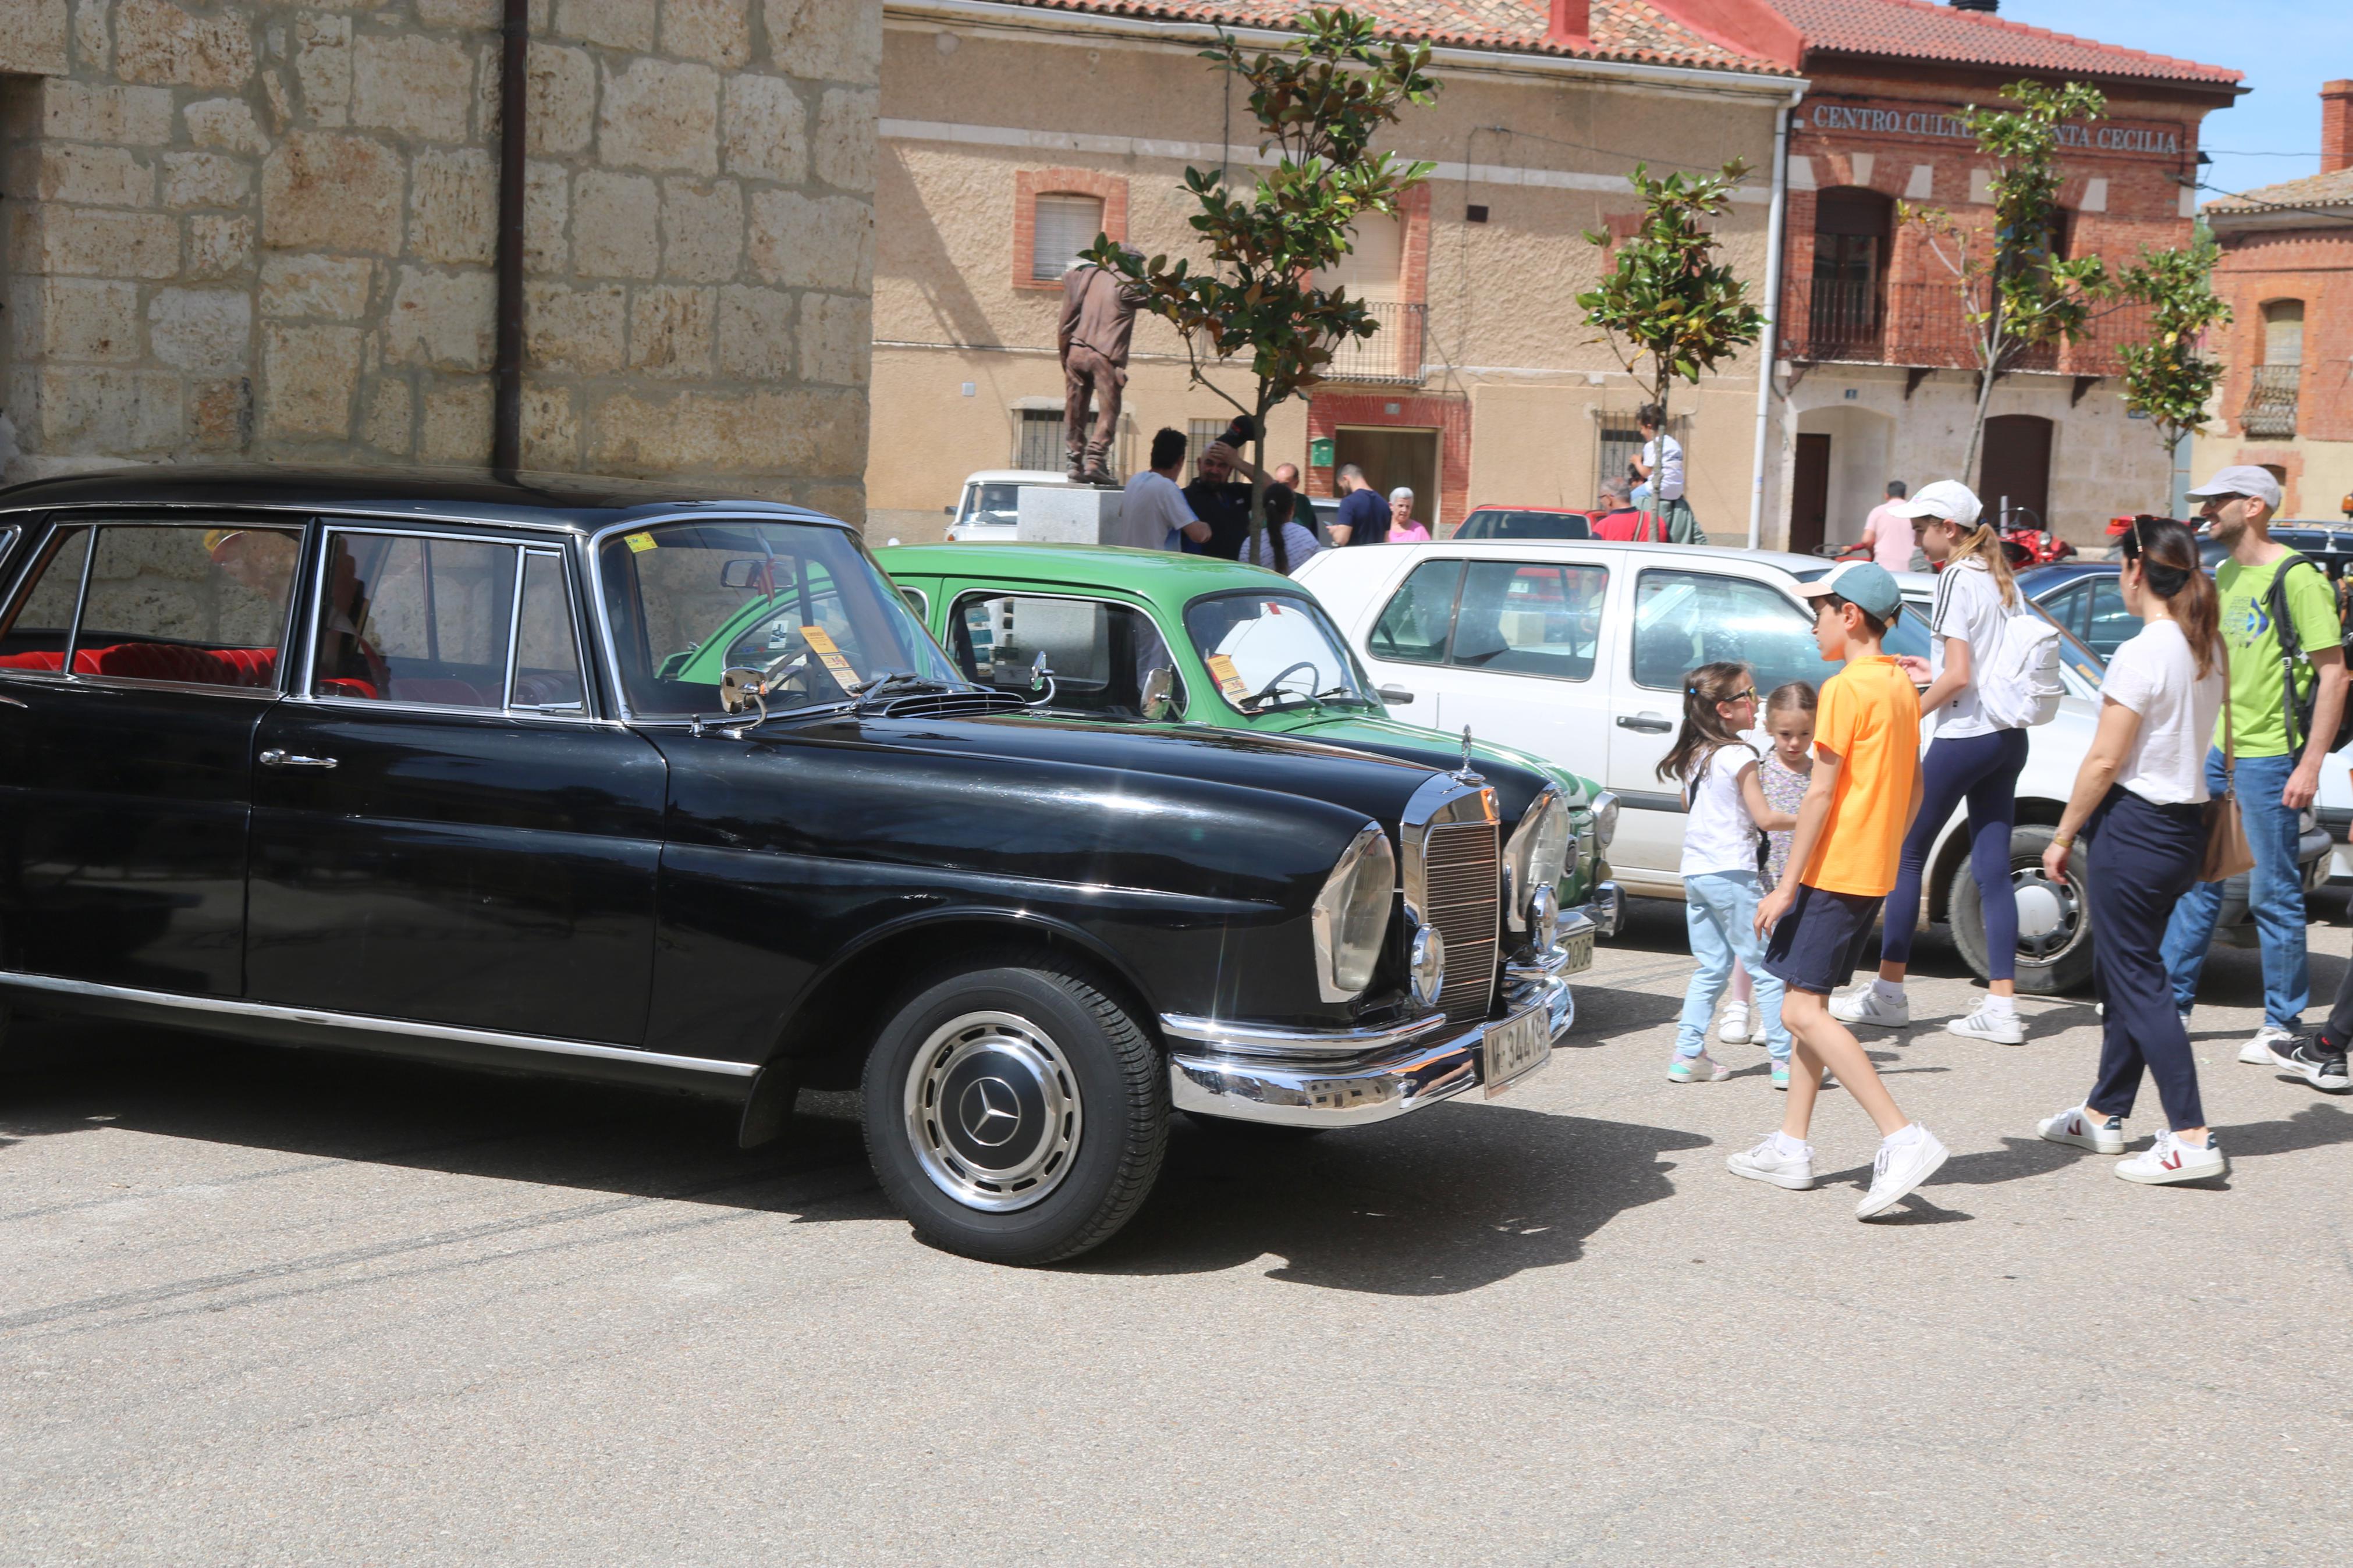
column 1877, row 373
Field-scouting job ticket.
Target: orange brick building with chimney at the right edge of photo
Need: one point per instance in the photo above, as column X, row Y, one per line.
column 2288, row 272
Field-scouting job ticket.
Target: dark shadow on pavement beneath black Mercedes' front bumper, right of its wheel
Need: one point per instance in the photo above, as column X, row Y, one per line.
column 1434, row 1205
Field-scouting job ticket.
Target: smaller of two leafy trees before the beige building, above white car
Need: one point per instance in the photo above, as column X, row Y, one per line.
column 1669, row 307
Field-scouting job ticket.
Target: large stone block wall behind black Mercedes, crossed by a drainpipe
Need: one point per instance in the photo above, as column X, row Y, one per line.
column 267, row 232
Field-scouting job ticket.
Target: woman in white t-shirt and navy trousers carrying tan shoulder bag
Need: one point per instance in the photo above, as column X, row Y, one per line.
column 2142, row 805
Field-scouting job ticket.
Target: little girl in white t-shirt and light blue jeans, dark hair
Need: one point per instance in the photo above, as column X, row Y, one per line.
column 1726, row 812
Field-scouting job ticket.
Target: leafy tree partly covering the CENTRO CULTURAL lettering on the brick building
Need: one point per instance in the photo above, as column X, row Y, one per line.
column 2013, row 288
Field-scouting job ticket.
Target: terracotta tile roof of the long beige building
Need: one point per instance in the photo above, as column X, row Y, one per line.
column 1620, row 29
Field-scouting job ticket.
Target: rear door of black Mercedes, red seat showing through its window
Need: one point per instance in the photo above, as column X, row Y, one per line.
column 138, row 662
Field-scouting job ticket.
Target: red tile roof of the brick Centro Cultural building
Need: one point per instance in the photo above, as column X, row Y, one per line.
column 1917, row 29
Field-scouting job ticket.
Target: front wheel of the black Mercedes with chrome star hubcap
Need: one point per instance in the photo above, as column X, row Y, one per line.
column 1022, row 1040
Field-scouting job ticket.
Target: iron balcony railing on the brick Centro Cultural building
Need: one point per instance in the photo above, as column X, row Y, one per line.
column 1926, row 328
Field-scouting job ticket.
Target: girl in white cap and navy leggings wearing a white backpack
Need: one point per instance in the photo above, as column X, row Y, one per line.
column 1971, row 760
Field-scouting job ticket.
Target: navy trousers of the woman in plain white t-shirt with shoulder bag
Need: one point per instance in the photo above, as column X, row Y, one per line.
column 2140, row 862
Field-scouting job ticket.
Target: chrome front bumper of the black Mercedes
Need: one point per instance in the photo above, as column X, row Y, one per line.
column 1349, row 1078
